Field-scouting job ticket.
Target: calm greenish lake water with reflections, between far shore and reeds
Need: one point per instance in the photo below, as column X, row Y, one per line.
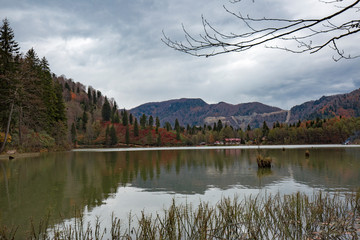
column 102, row 182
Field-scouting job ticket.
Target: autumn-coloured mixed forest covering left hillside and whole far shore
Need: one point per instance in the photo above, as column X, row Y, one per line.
column 40, row 111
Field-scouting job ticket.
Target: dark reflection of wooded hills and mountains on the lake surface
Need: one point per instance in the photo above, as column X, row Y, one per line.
column 58, row 182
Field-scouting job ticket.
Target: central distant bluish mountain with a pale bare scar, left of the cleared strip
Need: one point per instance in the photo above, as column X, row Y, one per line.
column 197, row 112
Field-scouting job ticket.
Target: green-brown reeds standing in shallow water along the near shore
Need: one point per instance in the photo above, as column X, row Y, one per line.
column 297, row 216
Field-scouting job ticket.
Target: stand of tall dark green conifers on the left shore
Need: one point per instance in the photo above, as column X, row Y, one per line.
column 32, row 110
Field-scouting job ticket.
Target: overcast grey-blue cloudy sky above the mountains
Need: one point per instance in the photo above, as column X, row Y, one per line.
column 115, row 46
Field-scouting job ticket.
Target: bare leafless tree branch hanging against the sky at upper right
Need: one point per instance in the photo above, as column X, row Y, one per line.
column 325, row 31
